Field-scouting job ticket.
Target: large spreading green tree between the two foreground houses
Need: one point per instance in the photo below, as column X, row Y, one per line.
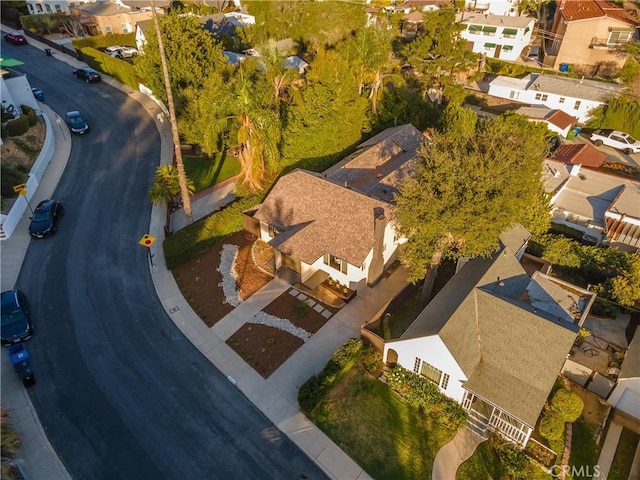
column 466, row 191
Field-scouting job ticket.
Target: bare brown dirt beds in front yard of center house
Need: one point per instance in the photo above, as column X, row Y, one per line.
column 265, row 348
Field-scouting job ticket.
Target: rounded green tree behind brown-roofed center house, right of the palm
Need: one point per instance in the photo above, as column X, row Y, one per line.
column 326, row 116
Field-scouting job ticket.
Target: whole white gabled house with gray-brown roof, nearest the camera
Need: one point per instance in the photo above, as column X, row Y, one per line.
column 495, row 339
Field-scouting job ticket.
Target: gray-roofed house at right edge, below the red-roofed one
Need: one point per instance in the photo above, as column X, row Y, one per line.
column 603, row 206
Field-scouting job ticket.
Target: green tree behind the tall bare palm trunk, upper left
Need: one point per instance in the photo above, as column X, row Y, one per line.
column 191, row 54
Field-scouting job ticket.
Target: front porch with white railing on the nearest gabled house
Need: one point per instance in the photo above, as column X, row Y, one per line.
column 485, row 417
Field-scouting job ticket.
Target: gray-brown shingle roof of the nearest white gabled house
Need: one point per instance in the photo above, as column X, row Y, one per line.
column 509, row 333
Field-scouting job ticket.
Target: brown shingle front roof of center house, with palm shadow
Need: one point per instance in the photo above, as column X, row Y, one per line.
column 316, row 216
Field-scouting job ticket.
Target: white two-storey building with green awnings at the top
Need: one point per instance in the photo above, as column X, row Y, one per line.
column 497, row 36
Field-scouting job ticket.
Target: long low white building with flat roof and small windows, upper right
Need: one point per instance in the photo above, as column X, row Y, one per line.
column 573, row 96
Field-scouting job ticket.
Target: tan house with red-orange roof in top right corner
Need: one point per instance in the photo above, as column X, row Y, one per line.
column 588, row 34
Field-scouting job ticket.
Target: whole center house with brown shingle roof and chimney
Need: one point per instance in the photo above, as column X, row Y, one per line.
column 338, row 224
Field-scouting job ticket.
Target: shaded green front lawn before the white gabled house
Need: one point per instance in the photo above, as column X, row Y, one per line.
column 386, row 437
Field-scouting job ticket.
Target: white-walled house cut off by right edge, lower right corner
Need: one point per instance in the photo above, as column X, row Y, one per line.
column 625, row 397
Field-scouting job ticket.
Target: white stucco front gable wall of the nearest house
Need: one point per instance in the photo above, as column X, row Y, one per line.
column 433, row 351
